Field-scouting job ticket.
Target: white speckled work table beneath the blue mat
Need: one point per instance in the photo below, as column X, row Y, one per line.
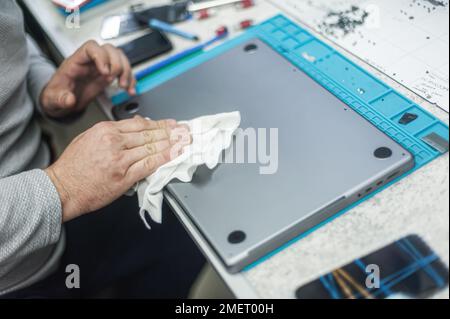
column 418, row 204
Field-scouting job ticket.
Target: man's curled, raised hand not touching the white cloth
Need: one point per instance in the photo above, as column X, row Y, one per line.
column 83, row 76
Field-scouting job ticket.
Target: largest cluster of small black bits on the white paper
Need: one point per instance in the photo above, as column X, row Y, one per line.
column 342, row 23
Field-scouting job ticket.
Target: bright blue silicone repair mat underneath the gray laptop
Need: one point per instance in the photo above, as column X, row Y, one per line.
column 407, row 123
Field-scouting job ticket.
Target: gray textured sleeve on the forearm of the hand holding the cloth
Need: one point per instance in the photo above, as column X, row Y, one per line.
column 30, row 215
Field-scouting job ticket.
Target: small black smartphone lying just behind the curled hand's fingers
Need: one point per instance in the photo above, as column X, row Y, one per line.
column 147, row 47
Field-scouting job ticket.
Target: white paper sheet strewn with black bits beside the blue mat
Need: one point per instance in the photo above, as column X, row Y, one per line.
column 406, row 39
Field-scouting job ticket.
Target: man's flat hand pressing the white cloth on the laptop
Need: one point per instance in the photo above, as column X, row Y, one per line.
column 104, row 162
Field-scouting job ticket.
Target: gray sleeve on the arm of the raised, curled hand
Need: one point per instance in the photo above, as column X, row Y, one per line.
column 40, row 72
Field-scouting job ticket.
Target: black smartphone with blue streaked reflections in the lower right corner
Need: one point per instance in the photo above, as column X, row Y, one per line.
column 407, row 268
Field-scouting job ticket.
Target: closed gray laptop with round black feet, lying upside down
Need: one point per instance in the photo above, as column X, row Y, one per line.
column 328, row 155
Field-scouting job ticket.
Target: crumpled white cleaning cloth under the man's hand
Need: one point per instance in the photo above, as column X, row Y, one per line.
column 210, row 136
